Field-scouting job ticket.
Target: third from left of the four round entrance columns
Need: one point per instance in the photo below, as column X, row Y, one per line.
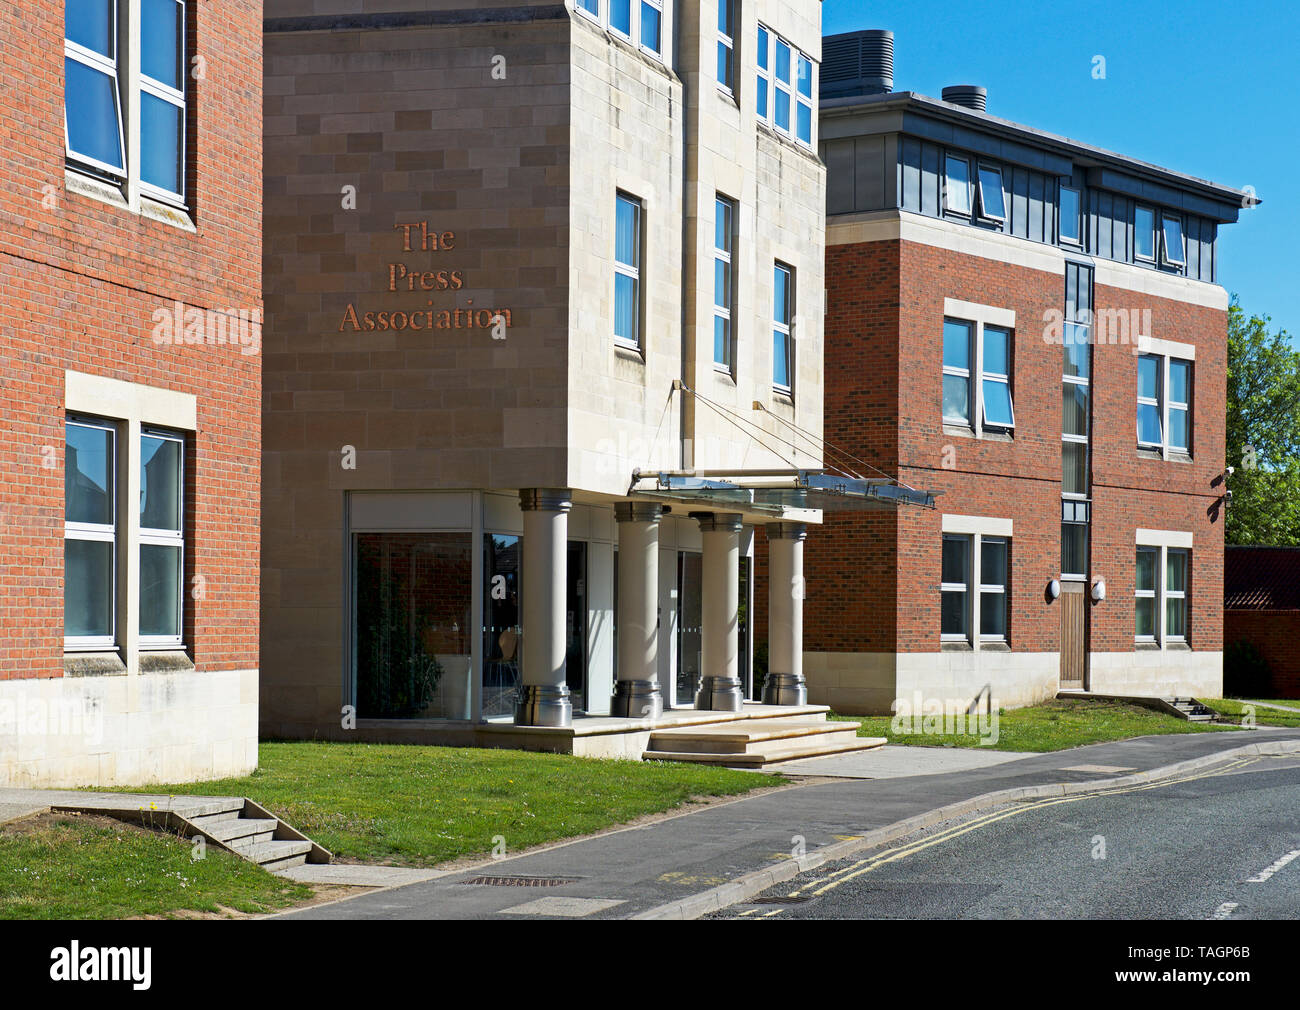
column 722, row 691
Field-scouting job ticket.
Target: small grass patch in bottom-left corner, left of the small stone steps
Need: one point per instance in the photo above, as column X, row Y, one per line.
column 62, row 866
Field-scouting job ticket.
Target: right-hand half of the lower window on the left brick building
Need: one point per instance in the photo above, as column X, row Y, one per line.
column 162, row 562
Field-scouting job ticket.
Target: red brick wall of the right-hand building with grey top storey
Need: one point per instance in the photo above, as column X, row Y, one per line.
column 883, row 393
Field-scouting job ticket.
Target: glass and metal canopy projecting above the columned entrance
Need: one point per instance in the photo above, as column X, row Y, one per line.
column 777, row 493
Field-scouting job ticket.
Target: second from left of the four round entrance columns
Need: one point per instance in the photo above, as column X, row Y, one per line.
column 636, row 695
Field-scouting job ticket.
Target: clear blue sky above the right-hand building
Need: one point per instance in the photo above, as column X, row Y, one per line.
column 1206, row 89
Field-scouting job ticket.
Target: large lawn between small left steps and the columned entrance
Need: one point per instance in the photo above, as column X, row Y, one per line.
column 426, row 805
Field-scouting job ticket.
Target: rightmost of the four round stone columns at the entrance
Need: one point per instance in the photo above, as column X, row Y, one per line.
column 785, row 683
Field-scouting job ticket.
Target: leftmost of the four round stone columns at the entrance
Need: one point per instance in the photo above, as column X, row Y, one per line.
column 544, row 697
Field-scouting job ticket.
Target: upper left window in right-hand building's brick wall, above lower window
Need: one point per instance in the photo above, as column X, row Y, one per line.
column 977, row 371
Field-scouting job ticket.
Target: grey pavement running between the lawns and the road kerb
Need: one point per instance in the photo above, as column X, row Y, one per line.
column 690, row 865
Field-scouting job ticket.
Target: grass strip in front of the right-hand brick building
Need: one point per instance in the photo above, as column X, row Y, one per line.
column 1052, row 726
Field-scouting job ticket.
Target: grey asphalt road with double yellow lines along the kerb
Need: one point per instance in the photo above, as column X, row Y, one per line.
column 1223, row 844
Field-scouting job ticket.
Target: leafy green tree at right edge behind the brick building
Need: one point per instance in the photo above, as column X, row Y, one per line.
column 1263, row 432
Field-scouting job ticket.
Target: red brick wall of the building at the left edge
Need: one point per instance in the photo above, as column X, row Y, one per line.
column 80, row 281
